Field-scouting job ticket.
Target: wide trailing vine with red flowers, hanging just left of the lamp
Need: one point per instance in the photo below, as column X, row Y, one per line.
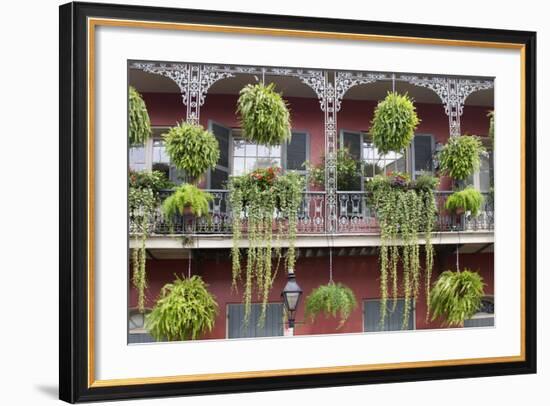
column 269, row 202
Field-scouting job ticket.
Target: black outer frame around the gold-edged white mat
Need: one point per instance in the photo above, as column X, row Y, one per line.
column 73, row 289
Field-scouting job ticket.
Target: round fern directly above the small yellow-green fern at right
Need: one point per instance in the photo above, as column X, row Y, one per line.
column 460, row 156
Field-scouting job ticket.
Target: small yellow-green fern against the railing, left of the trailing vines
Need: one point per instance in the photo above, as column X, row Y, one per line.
column 187, row 197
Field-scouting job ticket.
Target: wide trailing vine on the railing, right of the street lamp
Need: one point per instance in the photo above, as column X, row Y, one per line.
column 404, row 210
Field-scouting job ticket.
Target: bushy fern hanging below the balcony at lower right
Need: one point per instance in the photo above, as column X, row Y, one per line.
column 456, row 296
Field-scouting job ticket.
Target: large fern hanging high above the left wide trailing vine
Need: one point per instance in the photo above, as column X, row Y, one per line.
column 265, row 118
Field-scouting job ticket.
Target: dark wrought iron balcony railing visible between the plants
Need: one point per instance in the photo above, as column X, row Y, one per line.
column 355, row 215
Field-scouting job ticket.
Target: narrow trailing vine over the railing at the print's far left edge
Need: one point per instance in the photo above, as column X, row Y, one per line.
column 141, row 206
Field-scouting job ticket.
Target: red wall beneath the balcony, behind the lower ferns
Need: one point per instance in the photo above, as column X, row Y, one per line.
column 361, row 274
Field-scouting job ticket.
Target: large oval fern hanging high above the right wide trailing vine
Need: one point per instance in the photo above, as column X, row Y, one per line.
column 394, row 122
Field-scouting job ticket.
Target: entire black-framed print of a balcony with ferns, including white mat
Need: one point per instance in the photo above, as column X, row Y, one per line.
column 256, row 202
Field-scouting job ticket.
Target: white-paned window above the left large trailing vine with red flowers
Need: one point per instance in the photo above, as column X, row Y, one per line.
column 248, row 156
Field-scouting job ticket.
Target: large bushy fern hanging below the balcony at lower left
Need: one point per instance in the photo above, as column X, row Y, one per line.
column 184, row 310
